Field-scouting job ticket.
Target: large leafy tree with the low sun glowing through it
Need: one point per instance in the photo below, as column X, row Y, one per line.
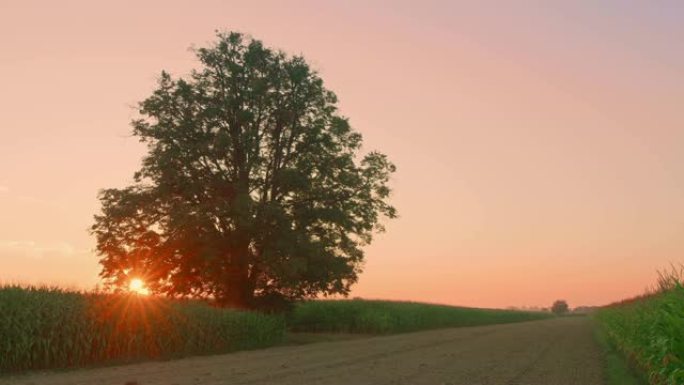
column 253, row 185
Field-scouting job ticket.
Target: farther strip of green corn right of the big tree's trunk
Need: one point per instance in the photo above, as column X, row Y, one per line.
column 384, row 317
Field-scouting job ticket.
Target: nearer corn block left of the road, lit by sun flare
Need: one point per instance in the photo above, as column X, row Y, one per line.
column 44, row 328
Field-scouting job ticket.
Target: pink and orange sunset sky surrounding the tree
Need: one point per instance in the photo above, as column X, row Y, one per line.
column 539, row 145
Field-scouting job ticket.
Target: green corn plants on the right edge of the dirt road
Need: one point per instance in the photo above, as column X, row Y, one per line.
column 649, row 330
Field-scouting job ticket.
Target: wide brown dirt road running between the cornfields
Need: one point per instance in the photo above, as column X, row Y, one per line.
column 551, row 352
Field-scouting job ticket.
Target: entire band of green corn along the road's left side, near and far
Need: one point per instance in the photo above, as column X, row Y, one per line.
column 51, row 328
